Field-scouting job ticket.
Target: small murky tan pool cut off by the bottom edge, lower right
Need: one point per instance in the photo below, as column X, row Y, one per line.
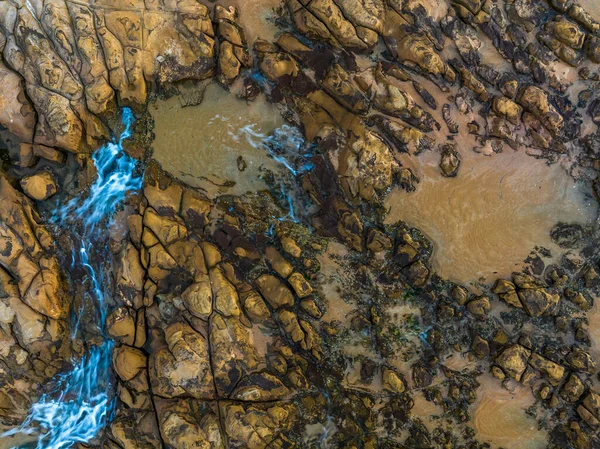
column 499, row 417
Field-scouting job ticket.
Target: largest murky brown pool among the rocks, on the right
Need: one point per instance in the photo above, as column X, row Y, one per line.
column 486, row 221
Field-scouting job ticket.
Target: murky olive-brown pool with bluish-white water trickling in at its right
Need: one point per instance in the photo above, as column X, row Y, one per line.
column 201, row 144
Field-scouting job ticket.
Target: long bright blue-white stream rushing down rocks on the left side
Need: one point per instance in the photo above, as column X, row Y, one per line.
column 79, row 405
